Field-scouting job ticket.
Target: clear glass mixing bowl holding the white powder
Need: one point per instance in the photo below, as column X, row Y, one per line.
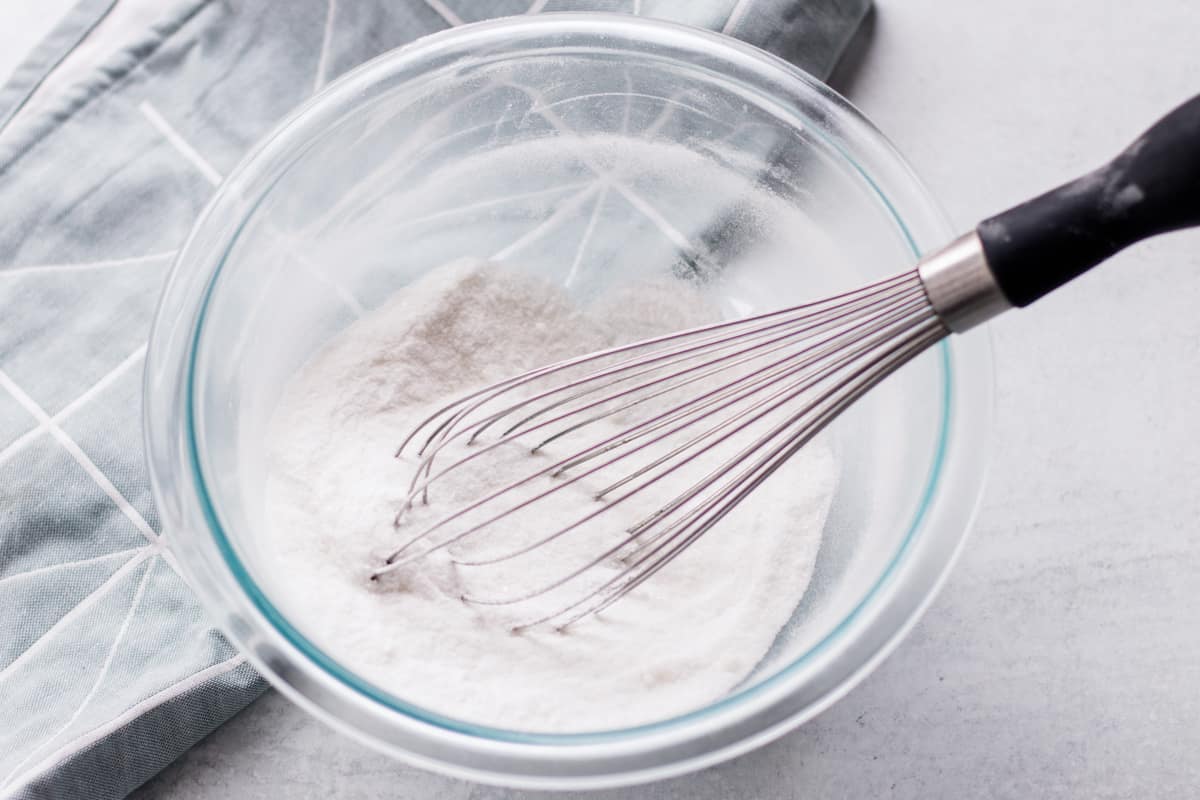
column 593, row 151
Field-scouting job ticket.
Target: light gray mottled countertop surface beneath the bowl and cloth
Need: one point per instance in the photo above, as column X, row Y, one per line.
column 1063, row 659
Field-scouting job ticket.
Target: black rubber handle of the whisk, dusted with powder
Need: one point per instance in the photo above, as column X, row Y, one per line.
column 1150, row 189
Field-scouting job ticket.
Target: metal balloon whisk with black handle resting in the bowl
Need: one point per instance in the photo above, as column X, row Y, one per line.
column 717, row 410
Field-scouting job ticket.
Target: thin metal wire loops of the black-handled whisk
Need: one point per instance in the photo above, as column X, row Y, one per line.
column 805, row 364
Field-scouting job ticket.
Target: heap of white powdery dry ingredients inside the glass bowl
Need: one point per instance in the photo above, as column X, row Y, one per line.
column 680, row 641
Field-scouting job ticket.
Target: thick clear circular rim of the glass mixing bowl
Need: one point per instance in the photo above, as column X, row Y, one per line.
column 734, row 724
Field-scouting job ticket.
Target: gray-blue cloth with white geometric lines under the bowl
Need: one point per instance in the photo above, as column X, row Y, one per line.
column 109, row 667
